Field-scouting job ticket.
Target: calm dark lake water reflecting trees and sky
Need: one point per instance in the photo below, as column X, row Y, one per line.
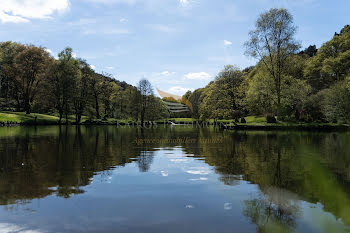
column 109, row 179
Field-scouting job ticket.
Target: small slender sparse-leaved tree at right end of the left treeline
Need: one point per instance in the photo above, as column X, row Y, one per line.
column 146, row 91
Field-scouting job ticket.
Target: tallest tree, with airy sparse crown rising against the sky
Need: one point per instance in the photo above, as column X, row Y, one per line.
column 272, row 42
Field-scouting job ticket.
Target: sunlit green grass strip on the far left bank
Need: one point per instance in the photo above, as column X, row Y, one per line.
column 22, row 118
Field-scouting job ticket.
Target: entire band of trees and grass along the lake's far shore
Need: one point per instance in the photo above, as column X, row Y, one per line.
column 288, row 85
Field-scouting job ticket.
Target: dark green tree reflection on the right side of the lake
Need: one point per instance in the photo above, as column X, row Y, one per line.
column 313, row 165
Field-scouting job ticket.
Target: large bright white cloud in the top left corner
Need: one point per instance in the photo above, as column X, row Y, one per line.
column 21, row 11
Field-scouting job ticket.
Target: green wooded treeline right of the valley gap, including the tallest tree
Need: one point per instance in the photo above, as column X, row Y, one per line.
column 312, row 85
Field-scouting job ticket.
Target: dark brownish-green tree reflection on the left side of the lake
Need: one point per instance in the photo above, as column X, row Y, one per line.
column 59, row 160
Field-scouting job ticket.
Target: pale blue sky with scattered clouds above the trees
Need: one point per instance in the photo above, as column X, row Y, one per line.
column 176, row 44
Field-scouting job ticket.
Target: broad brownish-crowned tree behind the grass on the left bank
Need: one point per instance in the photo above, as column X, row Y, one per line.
column 31, row 63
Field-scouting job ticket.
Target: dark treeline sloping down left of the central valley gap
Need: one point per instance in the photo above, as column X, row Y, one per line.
column 31, row 80
